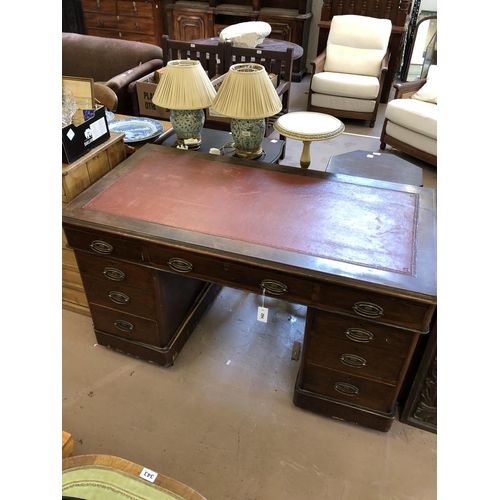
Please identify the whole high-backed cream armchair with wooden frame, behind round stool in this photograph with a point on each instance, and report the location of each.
(347, 78)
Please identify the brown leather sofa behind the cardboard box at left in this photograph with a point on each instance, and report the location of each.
(114, 62)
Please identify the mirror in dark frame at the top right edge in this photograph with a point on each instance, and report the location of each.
(423, 50)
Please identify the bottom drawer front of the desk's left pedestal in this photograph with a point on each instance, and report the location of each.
(125, 325)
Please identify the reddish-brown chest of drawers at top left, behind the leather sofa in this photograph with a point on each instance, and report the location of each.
(140, 20)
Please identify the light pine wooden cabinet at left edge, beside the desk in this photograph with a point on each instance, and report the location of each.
(76, 178)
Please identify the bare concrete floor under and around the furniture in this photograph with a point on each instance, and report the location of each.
(221, 420)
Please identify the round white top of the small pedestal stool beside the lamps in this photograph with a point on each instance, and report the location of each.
(308, 126)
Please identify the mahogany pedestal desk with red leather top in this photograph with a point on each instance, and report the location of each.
(153, 235)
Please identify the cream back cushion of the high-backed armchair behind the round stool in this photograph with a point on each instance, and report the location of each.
(357, 44)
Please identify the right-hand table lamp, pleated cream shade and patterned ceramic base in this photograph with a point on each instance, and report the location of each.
(248, 97)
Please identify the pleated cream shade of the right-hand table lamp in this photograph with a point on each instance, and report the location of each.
(247, 93)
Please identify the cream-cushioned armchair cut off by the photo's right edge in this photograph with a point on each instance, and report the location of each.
(410, 123)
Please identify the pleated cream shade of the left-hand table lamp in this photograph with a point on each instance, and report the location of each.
(184, 85)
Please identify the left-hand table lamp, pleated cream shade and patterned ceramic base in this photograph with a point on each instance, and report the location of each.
(185, 90)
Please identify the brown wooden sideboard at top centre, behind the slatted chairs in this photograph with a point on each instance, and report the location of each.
(289, 20)
